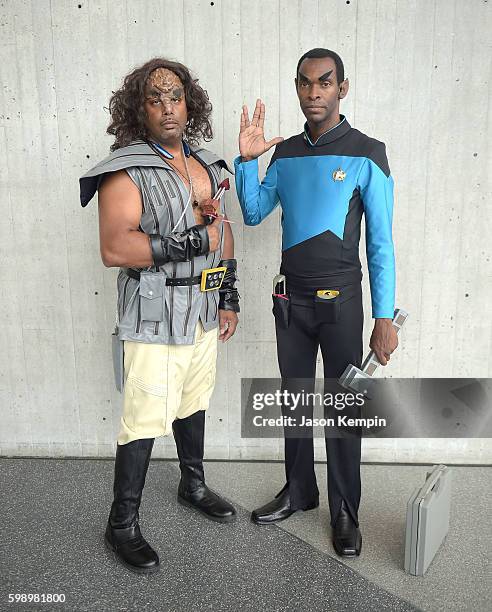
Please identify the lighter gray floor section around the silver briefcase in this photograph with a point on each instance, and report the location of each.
(460, 576)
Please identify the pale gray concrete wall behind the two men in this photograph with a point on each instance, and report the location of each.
(419, 73)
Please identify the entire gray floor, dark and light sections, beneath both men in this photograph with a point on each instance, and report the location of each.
(55, 510)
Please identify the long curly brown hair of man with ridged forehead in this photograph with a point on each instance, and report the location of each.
(126, 106)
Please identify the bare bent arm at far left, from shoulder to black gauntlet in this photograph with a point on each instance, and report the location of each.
(120, 210)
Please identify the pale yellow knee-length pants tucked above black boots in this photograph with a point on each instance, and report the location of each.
(164, 382)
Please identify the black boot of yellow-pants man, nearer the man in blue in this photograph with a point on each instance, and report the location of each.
(192, 490)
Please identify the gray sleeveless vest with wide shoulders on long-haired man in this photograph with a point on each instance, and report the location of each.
(173, 311)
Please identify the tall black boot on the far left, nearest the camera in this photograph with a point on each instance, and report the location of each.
(123, 535)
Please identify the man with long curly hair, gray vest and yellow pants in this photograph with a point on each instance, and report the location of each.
(159, 224)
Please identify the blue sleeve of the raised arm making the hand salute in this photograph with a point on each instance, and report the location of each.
(256, 200)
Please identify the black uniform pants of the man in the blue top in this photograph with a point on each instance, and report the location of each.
(297, 348)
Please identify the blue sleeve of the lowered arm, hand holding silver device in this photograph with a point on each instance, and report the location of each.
(376, 188)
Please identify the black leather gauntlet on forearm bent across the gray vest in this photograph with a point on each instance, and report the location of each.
(179, 246)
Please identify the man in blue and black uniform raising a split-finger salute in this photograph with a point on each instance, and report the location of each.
(324, 179)
